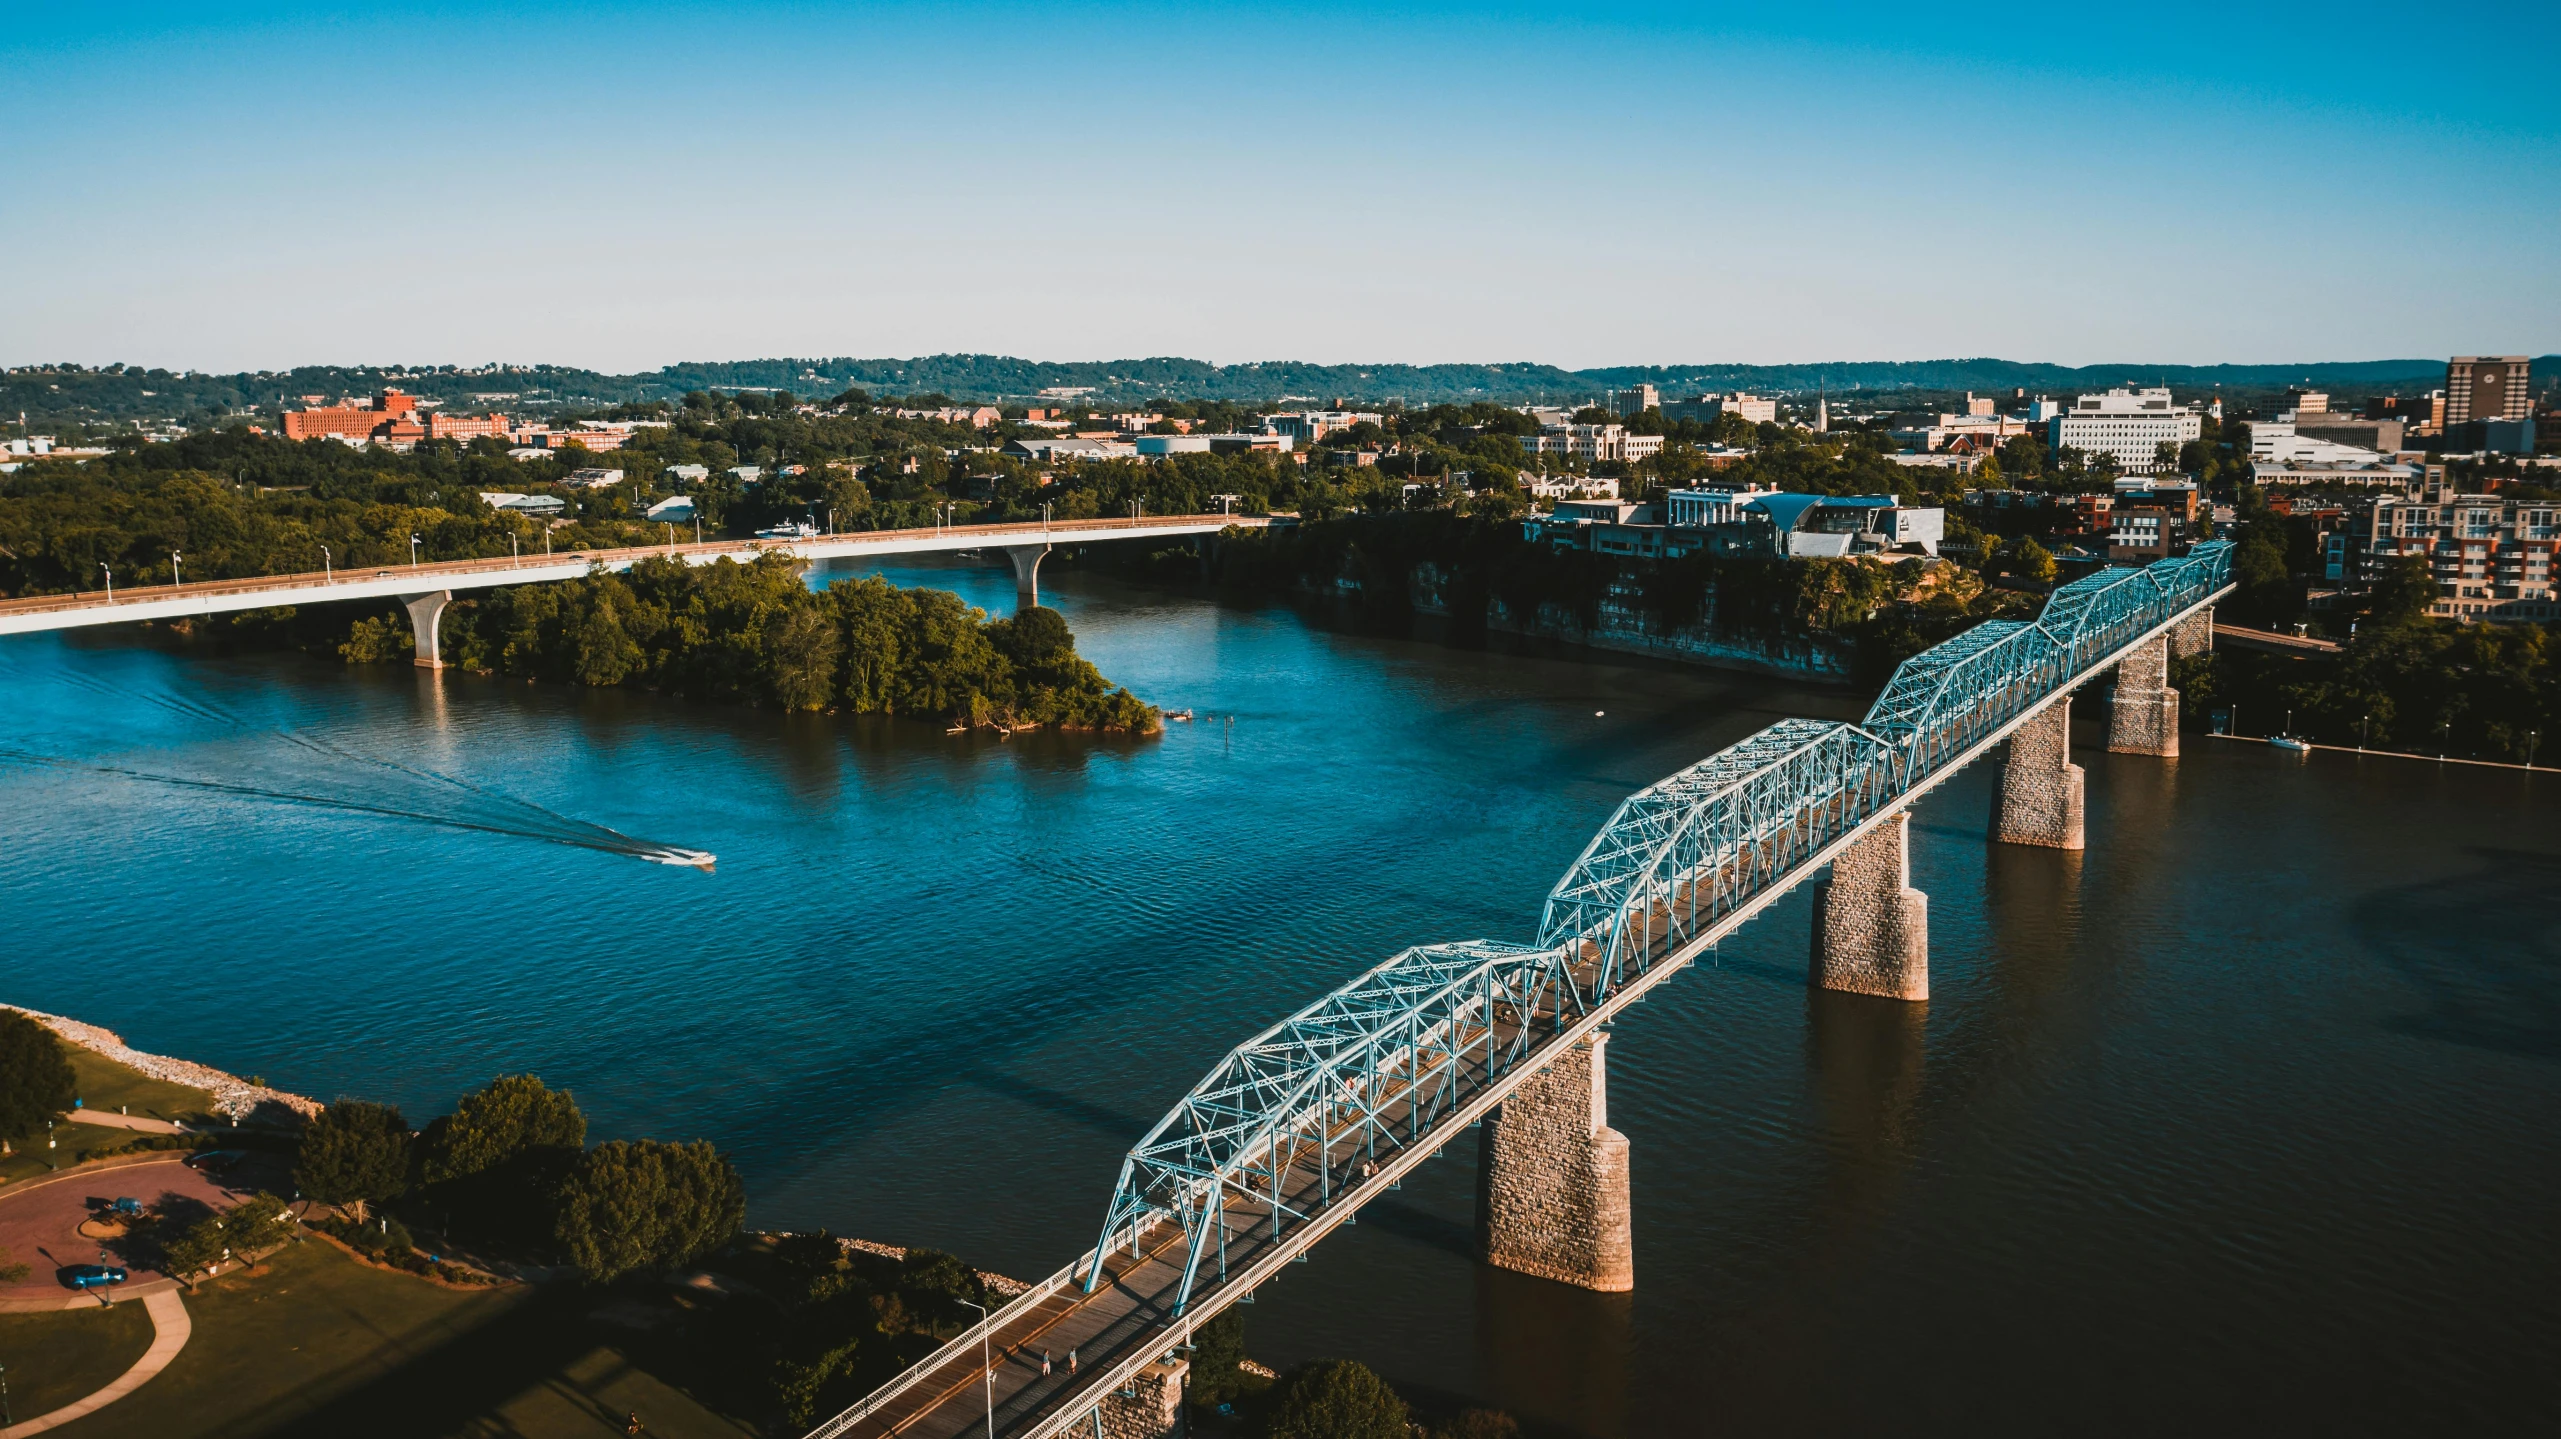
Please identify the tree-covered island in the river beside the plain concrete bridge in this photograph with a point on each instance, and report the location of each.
(754, 634)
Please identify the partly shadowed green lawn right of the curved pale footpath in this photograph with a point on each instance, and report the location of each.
(324, 1346)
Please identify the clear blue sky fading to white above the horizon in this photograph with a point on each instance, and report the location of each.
(626, 186)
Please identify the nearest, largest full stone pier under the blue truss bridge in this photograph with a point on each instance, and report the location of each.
(1553, 1194)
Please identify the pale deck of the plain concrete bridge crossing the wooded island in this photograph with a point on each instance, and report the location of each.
(403, 583)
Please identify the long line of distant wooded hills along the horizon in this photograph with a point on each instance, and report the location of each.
(55, 396)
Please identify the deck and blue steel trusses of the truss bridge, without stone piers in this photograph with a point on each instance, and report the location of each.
(1167, 1264)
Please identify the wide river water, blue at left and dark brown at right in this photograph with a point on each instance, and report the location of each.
(2240, 1120)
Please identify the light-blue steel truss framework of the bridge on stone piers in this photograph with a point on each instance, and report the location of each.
(1412, 1041)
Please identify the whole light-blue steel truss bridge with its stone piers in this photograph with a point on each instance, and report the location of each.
(1305, 1123)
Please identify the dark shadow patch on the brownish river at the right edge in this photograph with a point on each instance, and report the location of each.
(2480, 949)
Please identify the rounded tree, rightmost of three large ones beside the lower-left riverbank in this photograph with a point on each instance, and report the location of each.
(647, 1207)
